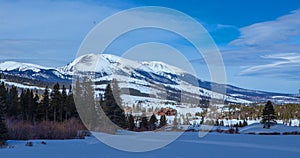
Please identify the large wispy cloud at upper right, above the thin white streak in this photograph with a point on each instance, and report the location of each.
(279, 30)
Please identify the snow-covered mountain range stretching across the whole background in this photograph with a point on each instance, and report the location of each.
(141, 79)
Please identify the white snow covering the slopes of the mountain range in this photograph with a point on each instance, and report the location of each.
(125, 70)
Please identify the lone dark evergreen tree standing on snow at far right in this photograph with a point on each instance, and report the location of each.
(268, 114)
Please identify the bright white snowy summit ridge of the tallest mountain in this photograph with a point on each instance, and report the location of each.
(110, 63)
